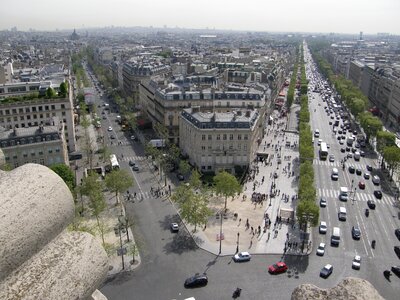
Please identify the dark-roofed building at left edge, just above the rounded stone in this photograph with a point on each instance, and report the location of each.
(43, 145)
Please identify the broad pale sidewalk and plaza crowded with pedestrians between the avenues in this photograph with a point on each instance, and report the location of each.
(271, 228)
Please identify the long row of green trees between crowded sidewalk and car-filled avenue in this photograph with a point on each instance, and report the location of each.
(307, 210)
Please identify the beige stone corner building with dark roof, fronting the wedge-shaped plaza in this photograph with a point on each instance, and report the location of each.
(220, 141)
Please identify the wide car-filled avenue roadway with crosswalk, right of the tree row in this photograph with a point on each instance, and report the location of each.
(380, 224)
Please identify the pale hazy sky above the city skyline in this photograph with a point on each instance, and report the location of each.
(340, 16)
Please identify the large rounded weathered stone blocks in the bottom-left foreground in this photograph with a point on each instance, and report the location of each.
(39, 259)
